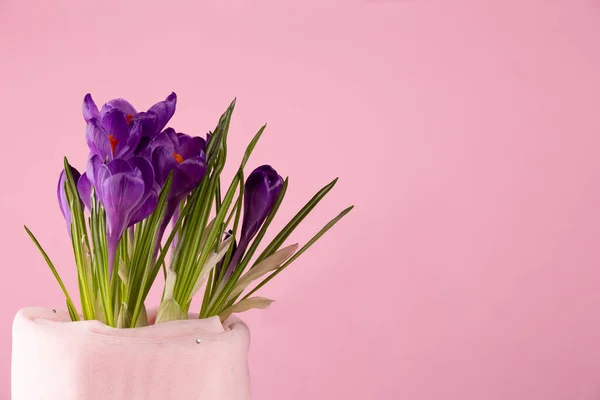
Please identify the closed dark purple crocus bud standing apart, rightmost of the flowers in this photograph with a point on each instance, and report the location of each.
(260, 193)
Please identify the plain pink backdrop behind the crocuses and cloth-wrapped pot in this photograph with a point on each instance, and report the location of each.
(465, 132)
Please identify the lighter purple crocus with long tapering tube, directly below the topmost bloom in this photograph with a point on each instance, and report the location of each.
(126, 190)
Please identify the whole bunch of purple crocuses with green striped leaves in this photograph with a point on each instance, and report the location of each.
(151, 199)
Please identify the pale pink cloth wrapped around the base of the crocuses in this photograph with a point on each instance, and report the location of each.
(59, 360)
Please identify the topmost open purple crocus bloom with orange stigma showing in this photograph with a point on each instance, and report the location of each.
(118, 130)
